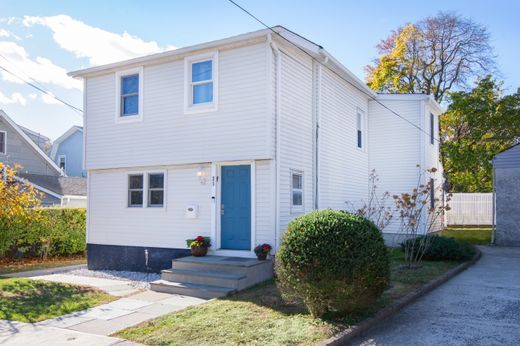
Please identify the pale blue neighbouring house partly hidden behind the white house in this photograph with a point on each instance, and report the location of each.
(67, 152)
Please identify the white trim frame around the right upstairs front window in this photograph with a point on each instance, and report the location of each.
(206, 107)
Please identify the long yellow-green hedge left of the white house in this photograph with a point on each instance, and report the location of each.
(47, 232)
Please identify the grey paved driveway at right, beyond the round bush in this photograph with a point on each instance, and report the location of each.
(480, 306)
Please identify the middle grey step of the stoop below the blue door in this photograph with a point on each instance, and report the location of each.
(221, 279)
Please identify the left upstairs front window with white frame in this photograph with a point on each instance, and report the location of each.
(129, 90)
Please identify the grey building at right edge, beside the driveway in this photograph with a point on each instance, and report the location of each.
(506, 188)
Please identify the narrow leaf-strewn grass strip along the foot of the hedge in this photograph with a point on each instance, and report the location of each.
(13, 266)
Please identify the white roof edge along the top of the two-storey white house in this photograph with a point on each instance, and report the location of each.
(308, 46)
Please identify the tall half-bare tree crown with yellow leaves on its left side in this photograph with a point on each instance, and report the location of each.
(432, 56)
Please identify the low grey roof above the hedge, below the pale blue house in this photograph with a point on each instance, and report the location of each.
(60, 186)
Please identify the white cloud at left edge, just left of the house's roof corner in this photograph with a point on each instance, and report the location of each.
(40, 69)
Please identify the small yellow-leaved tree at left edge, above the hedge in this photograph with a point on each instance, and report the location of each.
(16, 199)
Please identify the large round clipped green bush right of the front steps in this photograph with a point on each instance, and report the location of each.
(335, 262)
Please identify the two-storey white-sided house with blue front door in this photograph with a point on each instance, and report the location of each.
(233, 139)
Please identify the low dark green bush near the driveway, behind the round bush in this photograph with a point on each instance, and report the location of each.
(444, 249)
